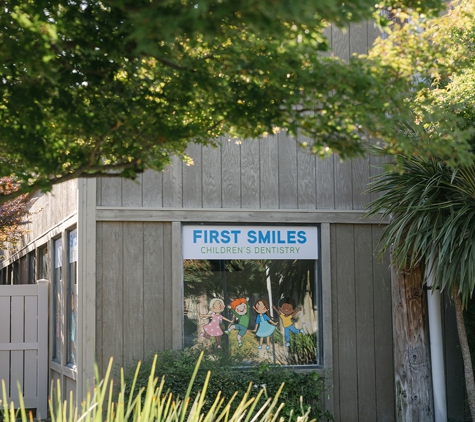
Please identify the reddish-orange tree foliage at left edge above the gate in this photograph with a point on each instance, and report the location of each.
(13, 214)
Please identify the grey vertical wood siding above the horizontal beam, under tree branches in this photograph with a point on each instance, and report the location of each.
(269, 173)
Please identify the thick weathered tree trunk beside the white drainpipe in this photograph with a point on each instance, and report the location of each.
(413, 377)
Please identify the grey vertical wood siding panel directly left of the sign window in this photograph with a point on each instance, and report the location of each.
(136, 292)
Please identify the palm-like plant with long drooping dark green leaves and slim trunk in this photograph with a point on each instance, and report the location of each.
(432, 220)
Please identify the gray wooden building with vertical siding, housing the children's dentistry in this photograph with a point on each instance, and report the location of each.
(113, 252)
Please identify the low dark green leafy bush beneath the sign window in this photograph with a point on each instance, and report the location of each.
(301, 390)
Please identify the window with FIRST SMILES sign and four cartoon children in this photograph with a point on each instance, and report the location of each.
(253, 291)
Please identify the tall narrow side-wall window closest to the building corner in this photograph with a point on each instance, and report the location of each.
(72, 296)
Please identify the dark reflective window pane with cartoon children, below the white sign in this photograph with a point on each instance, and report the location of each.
(264, 310)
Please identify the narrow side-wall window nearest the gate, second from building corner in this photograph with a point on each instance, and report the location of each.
(57, 297)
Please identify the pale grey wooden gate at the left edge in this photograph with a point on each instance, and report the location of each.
(24, 344)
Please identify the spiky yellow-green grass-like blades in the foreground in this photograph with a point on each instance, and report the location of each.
(145, 400)
